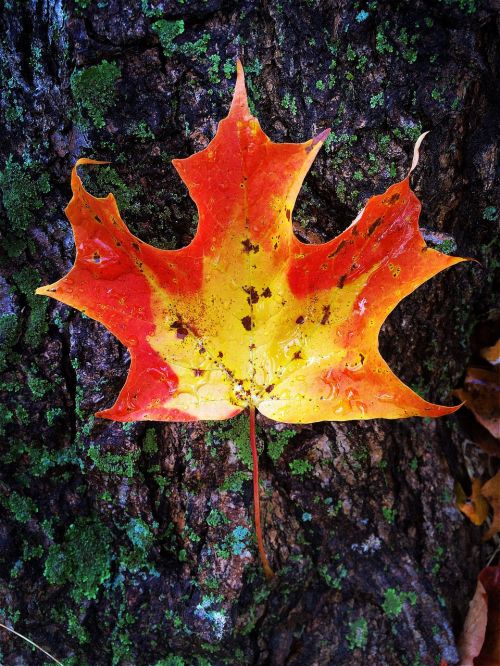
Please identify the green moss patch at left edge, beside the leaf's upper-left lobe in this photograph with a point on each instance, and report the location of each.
(22, 195)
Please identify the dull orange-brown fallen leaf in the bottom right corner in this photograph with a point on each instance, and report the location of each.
(479, 644)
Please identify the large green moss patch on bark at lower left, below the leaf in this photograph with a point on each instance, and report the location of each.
(82, 560)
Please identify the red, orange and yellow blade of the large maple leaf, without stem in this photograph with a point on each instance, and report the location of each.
(246, 314)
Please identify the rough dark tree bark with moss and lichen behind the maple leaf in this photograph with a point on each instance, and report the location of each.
(133, 545)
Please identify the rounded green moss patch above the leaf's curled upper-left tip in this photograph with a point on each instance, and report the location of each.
(94, 89)
